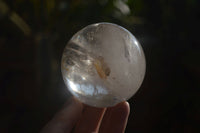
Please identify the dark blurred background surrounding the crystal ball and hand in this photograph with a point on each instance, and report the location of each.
(33, 34)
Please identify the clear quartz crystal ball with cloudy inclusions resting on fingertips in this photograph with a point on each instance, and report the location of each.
(103, 64)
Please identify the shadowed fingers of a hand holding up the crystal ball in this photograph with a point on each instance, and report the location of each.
(76, 117)
